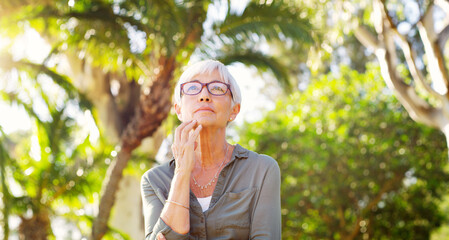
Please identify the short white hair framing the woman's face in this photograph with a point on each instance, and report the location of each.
(208, 66)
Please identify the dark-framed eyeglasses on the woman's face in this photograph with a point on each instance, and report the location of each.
(215, 88)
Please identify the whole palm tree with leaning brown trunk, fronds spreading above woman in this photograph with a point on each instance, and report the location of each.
(101, 41)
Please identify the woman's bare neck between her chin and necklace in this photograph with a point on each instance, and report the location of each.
(211, 148)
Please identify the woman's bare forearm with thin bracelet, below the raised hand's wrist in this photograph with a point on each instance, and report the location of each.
(175, 214)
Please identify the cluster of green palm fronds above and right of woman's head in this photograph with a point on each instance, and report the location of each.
(241, 36)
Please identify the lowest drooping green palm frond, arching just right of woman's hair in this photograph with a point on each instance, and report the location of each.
(263, 63)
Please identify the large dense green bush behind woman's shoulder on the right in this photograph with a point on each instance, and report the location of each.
(353, 164)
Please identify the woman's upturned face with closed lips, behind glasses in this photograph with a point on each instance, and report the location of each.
(209, 110)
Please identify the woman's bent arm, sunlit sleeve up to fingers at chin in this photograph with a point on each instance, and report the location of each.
(174, 214)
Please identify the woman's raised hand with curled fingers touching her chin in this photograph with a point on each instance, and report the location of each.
(184, 145)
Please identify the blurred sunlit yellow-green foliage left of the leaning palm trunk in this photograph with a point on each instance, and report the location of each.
(54, 167)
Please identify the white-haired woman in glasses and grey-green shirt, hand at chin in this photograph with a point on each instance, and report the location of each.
(211, 189)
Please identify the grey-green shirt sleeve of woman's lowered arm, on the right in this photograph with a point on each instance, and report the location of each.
(266, 219)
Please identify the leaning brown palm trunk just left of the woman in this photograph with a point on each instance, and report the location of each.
(154, 107)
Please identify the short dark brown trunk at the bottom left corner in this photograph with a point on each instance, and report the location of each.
(35, 228)
